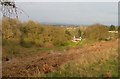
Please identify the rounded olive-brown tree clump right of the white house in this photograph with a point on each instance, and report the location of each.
(96, 32)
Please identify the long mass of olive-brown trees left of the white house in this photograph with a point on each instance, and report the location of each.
(32, 33)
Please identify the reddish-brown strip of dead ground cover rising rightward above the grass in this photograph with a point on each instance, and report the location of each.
(47, 62)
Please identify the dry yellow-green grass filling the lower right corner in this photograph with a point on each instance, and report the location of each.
(90, 65)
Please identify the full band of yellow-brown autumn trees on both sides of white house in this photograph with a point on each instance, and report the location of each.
(30, 33)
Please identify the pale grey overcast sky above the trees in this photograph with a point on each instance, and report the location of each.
(78, 13)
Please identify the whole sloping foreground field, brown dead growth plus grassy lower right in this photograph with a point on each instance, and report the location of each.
(99, 59)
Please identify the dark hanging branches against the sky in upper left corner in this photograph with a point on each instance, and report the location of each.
(9, 9)
